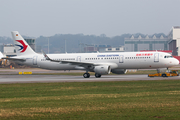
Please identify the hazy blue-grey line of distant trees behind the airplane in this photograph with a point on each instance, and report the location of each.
(75, 42)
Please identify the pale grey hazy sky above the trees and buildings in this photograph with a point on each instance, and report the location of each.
(111, 17)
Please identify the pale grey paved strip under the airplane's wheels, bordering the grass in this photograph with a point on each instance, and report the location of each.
(7, 79)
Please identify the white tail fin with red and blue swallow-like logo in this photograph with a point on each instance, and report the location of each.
(21, 46)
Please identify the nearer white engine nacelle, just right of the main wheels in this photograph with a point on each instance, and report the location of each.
(102, 70)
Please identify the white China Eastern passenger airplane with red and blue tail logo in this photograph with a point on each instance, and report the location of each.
(100, 63)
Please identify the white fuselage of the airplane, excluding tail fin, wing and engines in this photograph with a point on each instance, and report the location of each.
(119, 60)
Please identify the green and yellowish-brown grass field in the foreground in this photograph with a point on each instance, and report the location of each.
(94, 100)
